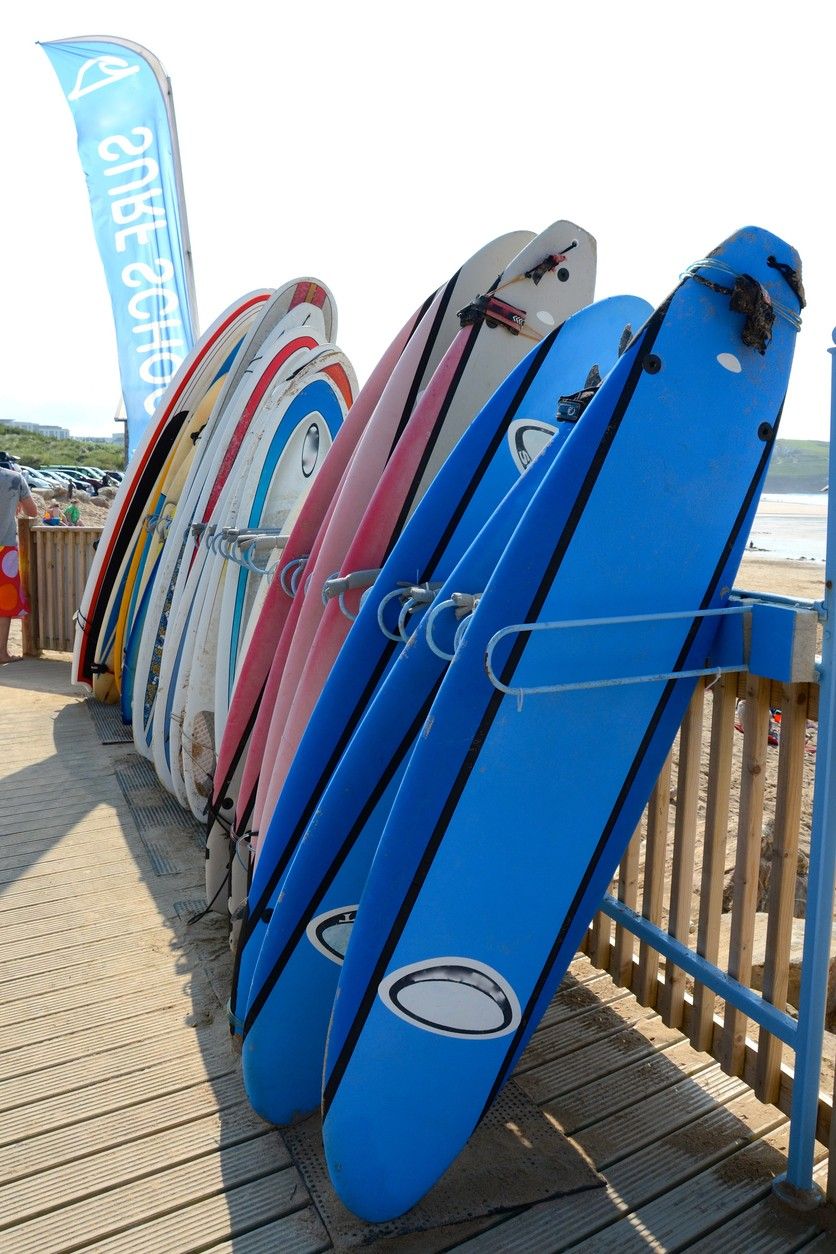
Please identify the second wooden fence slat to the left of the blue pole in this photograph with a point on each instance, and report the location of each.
(748, 863)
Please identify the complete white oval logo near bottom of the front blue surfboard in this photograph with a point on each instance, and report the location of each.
(458, 998)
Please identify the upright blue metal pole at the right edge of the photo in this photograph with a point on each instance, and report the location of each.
(798, 1187)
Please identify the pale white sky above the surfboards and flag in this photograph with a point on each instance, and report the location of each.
(377, 147)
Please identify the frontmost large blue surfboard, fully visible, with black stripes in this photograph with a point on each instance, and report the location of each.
(536, 759)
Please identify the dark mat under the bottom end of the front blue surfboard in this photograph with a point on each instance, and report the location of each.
(516, 1158)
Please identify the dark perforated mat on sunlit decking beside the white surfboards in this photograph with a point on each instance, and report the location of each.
(161, 821)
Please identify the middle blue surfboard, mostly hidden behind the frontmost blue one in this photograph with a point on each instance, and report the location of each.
(296, 975)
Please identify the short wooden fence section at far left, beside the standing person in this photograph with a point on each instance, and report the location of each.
(55, 564)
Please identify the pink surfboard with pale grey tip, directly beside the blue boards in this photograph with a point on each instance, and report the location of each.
(476, 364)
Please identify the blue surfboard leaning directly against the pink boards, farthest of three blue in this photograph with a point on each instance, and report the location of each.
(484, 466)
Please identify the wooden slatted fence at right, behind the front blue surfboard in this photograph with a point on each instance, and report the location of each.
(719, 863)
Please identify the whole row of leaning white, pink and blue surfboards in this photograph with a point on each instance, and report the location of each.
(418, 651)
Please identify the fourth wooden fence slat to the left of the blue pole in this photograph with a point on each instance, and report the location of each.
(685, 838)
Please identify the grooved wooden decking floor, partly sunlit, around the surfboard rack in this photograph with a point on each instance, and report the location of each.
(125, 1125)
